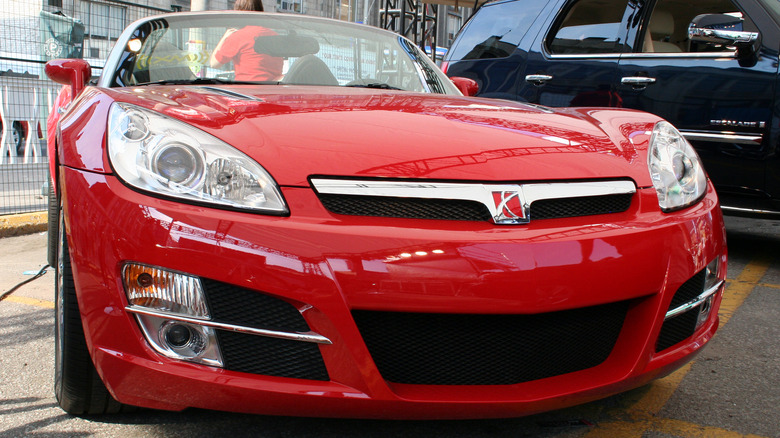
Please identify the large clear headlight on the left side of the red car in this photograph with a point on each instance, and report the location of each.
(159, 154)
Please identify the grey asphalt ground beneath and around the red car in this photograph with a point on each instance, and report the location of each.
(732, 389)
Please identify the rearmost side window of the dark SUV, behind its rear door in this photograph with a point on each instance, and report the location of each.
(497, 31)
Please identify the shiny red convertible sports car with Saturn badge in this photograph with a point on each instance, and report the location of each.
(350, 236)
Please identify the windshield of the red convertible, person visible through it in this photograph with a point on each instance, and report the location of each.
(236, 47)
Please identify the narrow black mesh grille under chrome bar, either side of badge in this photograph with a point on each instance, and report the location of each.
(446, 209)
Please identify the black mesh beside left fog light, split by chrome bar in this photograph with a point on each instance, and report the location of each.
(256, 354)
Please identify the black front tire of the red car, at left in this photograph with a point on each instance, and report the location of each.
(77, 386)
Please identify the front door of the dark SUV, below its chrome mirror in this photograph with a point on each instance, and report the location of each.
(720, 98)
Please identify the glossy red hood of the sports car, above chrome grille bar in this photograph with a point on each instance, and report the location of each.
(296, 132)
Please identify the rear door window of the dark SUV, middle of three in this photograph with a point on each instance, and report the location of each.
(589, 26)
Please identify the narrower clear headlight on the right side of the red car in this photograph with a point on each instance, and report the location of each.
(675, 168)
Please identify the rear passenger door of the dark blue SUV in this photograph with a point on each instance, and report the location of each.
(575, 62)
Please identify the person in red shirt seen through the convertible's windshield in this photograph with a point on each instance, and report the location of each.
(237, 45)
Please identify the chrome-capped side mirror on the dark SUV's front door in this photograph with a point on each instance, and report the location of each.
(726, 30)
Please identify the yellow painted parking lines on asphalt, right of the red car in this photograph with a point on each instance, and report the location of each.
(644, 410)
